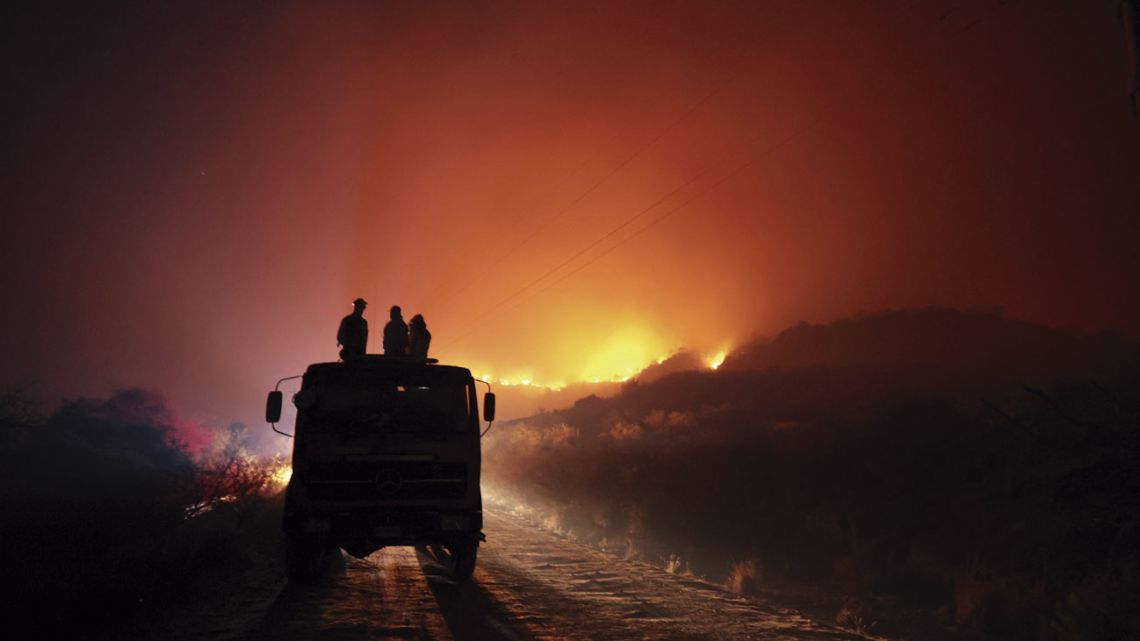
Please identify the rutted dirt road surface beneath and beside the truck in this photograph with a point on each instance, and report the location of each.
(530, 586)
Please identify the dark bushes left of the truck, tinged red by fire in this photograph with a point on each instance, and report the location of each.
(109, 521)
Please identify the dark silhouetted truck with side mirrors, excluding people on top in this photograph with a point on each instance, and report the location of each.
(386, 452)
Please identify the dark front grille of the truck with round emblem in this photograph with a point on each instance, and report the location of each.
(387, 482)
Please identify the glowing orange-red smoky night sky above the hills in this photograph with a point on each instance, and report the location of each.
(196, 193)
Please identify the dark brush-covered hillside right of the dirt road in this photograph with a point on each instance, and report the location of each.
(908, 498)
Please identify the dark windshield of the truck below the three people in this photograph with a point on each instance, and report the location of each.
(386, 404)
